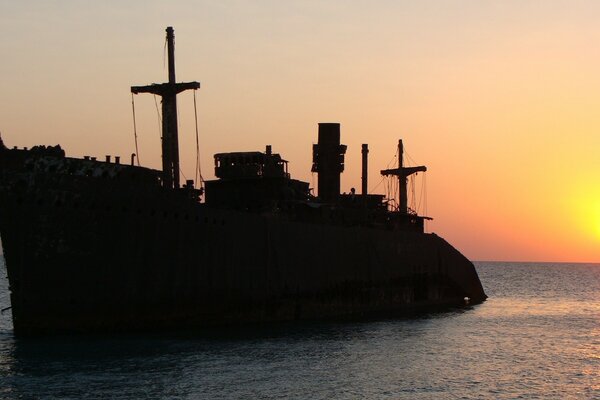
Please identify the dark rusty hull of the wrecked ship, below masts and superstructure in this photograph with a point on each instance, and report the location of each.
(98, 253)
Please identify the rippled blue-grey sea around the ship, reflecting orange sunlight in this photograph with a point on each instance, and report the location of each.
(536, 337)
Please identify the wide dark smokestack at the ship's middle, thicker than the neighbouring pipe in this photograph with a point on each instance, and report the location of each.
(328, 161)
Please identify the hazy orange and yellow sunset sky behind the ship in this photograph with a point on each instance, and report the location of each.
(499, 99)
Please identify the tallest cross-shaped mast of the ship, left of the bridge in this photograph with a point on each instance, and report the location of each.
(168, 92)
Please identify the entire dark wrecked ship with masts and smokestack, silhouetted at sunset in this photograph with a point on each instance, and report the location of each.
(102, 246)
